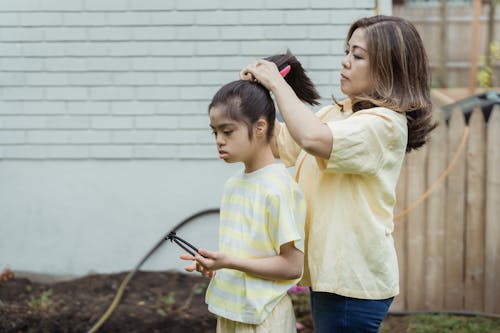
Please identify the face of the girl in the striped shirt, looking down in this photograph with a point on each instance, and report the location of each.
(231, 137)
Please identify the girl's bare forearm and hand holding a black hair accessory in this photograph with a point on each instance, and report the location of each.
(285, 266)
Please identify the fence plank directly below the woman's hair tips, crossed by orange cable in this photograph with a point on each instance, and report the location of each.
(416, 230)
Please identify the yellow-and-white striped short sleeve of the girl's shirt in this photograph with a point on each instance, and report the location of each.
(286, 221)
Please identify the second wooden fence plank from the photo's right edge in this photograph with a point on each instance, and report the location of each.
(474, 234)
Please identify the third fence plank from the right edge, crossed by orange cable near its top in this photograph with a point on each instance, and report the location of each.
(455, 218)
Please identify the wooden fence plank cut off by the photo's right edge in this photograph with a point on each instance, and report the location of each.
(492, 248)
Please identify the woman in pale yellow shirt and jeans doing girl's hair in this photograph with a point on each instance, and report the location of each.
(348, 158)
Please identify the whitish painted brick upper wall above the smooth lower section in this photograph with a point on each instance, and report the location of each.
(131, 79)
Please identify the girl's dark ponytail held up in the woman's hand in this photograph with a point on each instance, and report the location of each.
(297, 77)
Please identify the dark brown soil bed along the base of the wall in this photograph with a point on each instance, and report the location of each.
(152, 302)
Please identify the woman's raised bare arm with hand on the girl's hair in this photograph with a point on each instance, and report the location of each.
(306, 129)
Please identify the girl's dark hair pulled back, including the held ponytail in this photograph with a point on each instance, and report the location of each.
(249, 101)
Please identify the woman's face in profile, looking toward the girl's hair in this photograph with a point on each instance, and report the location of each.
(355, 77)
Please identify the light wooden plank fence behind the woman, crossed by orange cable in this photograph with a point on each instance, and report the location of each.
(449, 246)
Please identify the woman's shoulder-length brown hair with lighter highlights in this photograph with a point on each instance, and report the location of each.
(399, 72)
